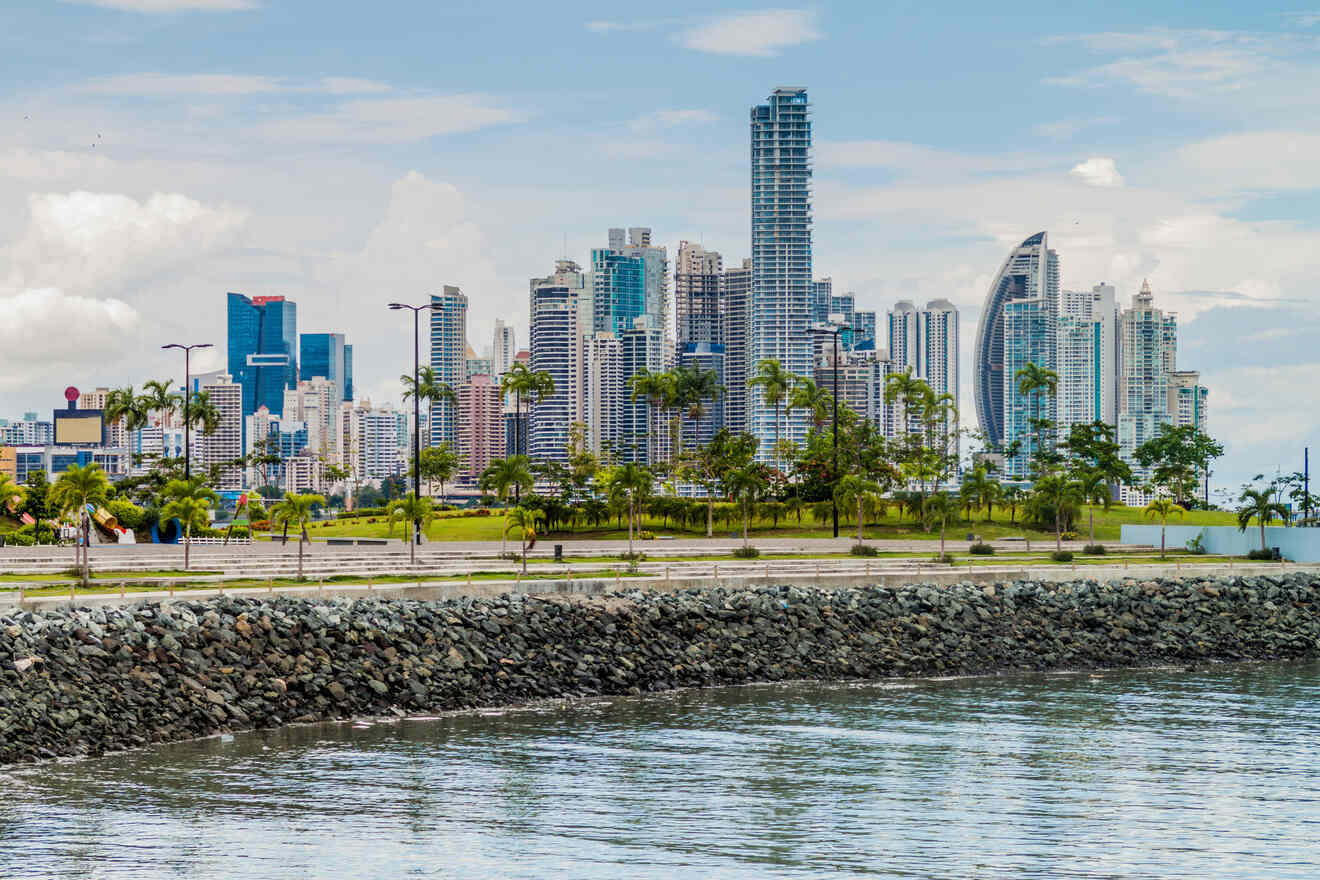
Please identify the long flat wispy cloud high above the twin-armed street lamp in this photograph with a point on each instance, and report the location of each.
(393, 121)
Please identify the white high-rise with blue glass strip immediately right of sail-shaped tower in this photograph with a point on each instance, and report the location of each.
(1087, 358)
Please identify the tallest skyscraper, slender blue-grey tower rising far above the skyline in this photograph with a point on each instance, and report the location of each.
(782, 254)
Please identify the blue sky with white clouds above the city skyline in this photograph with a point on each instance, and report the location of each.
(159, 154)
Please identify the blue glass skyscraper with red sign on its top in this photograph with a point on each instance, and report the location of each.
(263, 357)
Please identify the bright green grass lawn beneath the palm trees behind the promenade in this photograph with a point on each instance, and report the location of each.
(489, 528)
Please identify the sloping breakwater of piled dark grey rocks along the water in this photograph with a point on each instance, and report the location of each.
(86, 681)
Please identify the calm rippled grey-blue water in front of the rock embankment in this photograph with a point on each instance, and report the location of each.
(1141, 774)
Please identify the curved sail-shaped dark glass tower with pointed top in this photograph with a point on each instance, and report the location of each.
(1030, 272)
